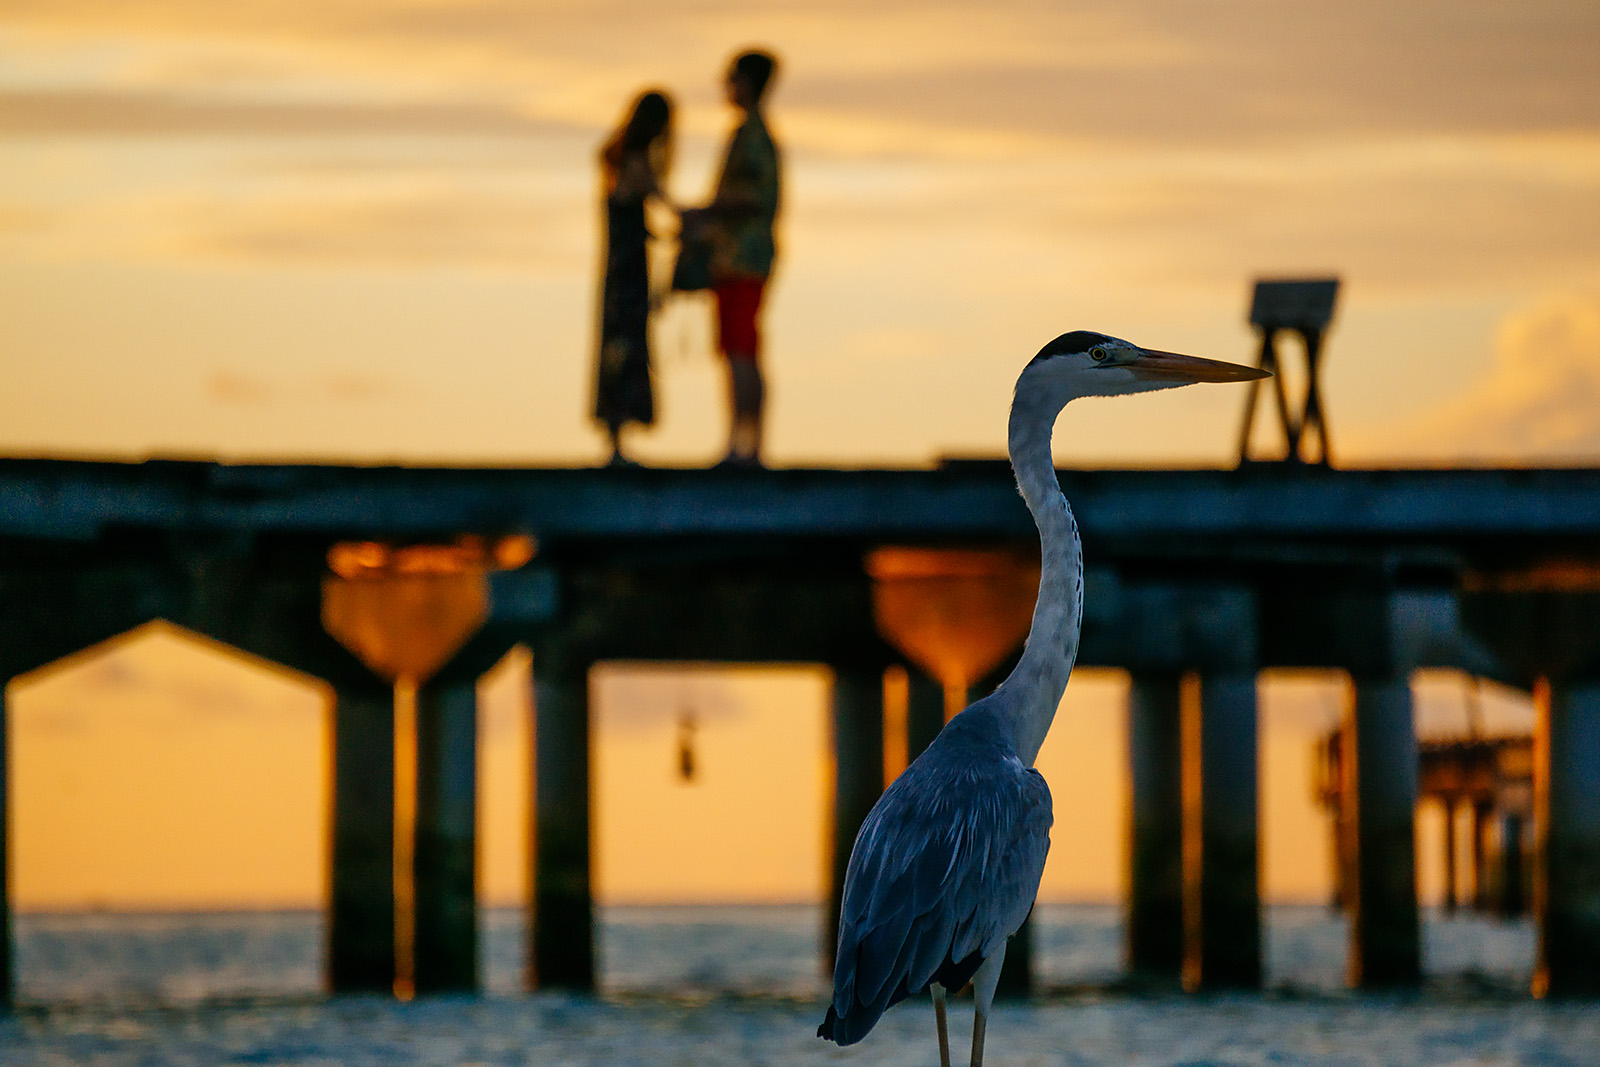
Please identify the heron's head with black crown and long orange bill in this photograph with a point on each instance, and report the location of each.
(1086, 364)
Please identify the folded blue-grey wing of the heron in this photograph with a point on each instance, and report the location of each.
(945, 869)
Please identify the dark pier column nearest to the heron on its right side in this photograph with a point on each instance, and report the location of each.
(1154, 949)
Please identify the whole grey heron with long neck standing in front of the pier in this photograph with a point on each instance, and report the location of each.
(948, 863)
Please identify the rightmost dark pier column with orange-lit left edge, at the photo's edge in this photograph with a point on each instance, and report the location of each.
(1567, 815)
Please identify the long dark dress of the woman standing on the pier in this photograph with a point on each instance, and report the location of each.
(623, 391)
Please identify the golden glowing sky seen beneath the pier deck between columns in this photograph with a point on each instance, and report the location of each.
(750, 829)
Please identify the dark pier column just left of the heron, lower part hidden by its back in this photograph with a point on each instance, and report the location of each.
(858, 777)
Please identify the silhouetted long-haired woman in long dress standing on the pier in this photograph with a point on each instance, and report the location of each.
(633, 166)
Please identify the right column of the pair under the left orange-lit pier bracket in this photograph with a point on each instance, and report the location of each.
(446, 860)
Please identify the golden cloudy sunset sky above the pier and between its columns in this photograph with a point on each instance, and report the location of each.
(367, 231)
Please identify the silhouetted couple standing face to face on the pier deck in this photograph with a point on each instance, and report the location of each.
(729, 244)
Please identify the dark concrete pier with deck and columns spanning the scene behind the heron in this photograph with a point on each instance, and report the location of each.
(1198, 581)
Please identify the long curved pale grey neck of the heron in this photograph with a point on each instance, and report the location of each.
(1041, 677)
